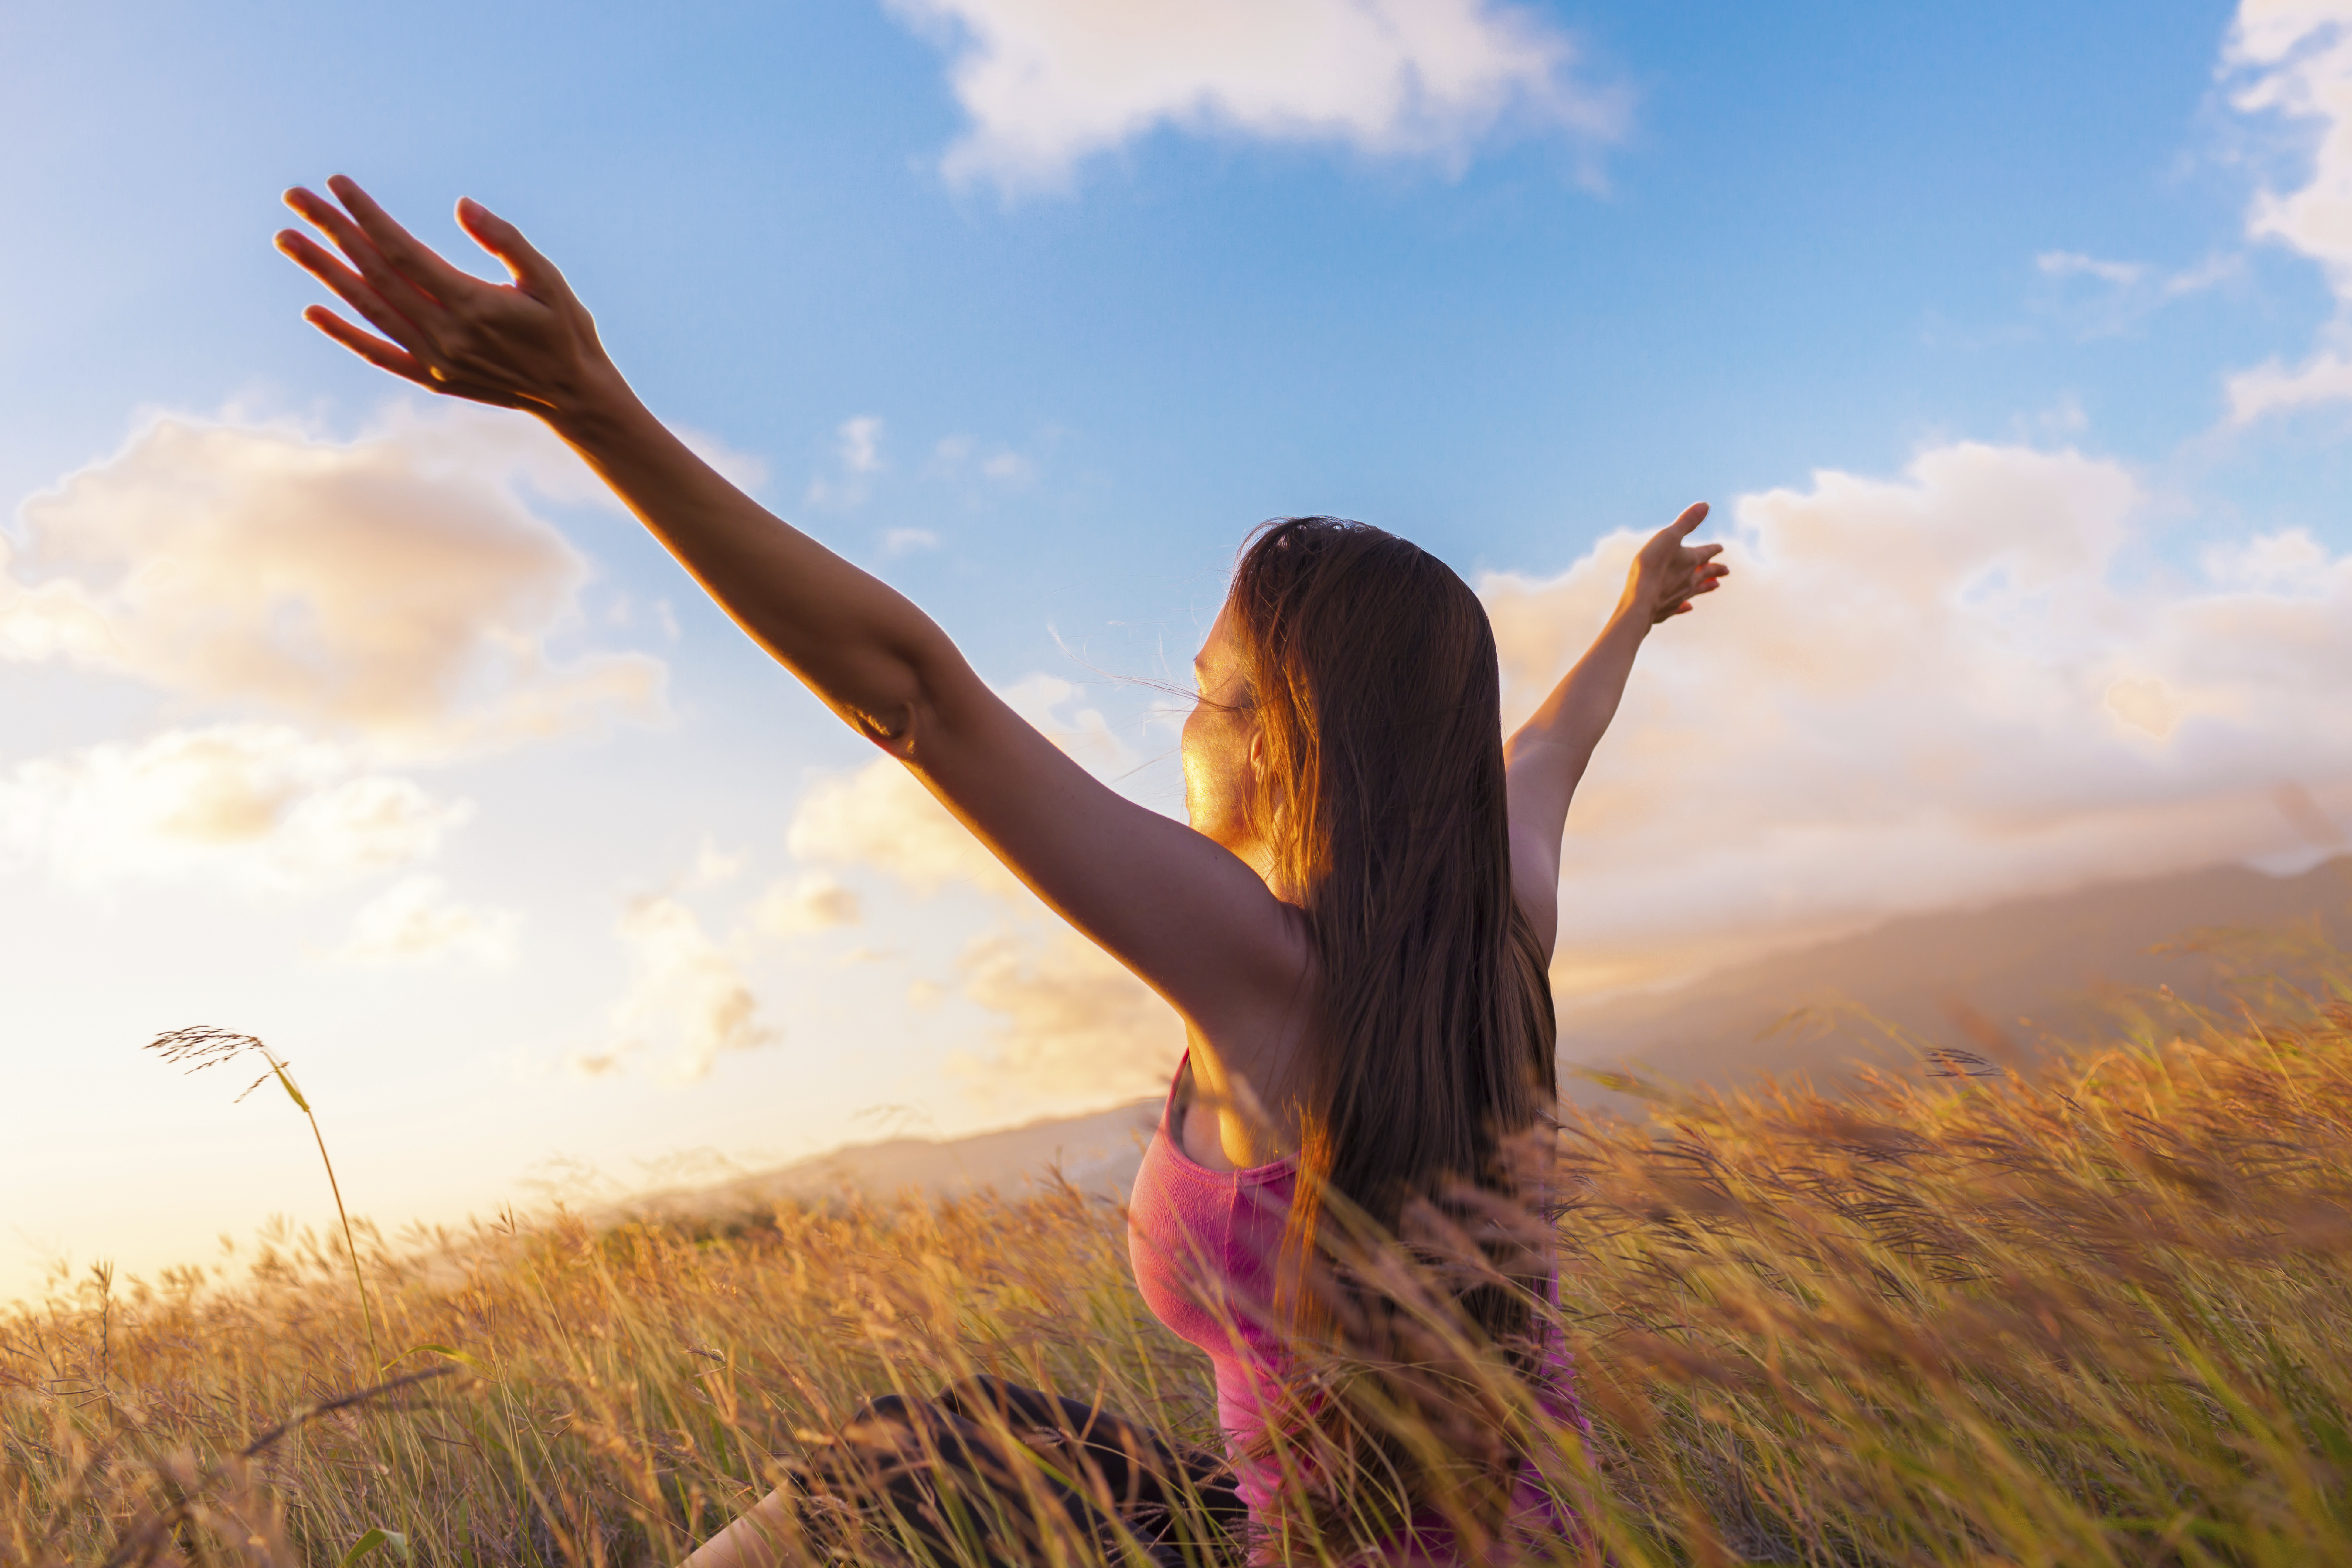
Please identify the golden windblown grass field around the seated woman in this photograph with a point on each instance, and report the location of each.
(2099, 1315)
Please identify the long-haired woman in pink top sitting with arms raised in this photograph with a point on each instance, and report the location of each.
(1354, 930)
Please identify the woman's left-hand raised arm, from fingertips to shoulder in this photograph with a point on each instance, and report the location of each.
(1177, 909)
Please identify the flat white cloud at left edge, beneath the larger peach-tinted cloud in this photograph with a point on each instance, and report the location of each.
(260, 805)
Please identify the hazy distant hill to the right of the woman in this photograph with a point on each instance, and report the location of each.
(2017, 979)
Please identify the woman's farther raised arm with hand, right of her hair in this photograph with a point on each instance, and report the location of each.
(1549, 756)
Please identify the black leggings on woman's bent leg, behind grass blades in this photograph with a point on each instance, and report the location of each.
(989, 1473)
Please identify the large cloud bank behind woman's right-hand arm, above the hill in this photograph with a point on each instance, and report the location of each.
(1932, 690)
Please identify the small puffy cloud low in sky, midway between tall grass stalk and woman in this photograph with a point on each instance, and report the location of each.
(688, 996)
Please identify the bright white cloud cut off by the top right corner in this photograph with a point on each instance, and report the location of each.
(2294, 60)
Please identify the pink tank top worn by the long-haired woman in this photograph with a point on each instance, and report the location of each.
(1205, 1245)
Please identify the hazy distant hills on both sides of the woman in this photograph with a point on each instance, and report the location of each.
(2010, 979)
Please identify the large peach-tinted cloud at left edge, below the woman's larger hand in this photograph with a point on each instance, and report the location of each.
(392, 587)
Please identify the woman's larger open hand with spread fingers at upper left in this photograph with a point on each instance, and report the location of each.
(523, 344)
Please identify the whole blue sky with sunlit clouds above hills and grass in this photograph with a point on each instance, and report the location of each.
(1951, 311)
